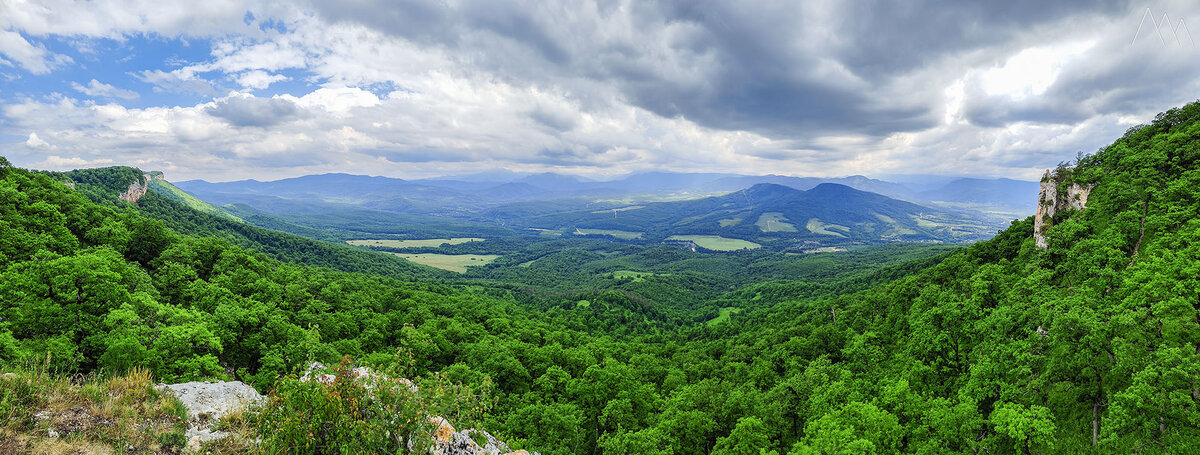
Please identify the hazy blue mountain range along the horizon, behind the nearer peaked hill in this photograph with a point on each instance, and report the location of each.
(472, 195)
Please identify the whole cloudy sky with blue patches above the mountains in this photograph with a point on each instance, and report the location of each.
(227, 91)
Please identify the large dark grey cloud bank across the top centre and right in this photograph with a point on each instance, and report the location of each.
(783, 69)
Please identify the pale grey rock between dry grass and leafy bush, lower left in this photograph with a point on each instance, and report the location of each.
(208, 403)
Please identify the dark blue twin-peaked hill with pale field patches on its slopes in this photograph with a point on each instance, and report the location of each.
(825, 214)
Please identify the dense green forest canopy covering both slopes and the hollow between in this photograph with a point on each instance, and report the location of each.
(1089, 346)
